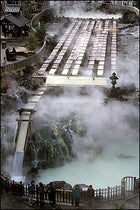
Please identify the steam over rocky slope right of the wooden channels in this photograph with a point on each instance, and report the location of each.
(128, 57)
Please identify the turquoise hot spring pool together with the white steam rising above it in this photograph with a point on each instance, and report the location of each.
(112, 127)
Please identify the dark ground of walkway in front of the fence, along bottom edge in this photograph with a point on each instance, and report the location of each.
(8, 201)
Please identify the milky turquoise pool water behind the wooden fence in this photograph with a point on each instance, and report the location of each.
(106, 170)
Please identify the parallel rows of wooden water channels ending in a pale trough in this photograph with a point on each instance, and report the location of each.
(81, 54)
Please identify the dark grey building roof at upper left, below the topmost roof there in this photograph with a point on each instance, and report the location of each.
(18, 21)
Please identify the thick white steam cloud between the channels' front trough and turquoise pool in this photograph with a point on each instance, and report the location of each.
(98, 118)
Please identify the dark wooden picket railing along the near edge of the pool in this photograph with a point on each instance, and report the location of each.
(65, 196)
